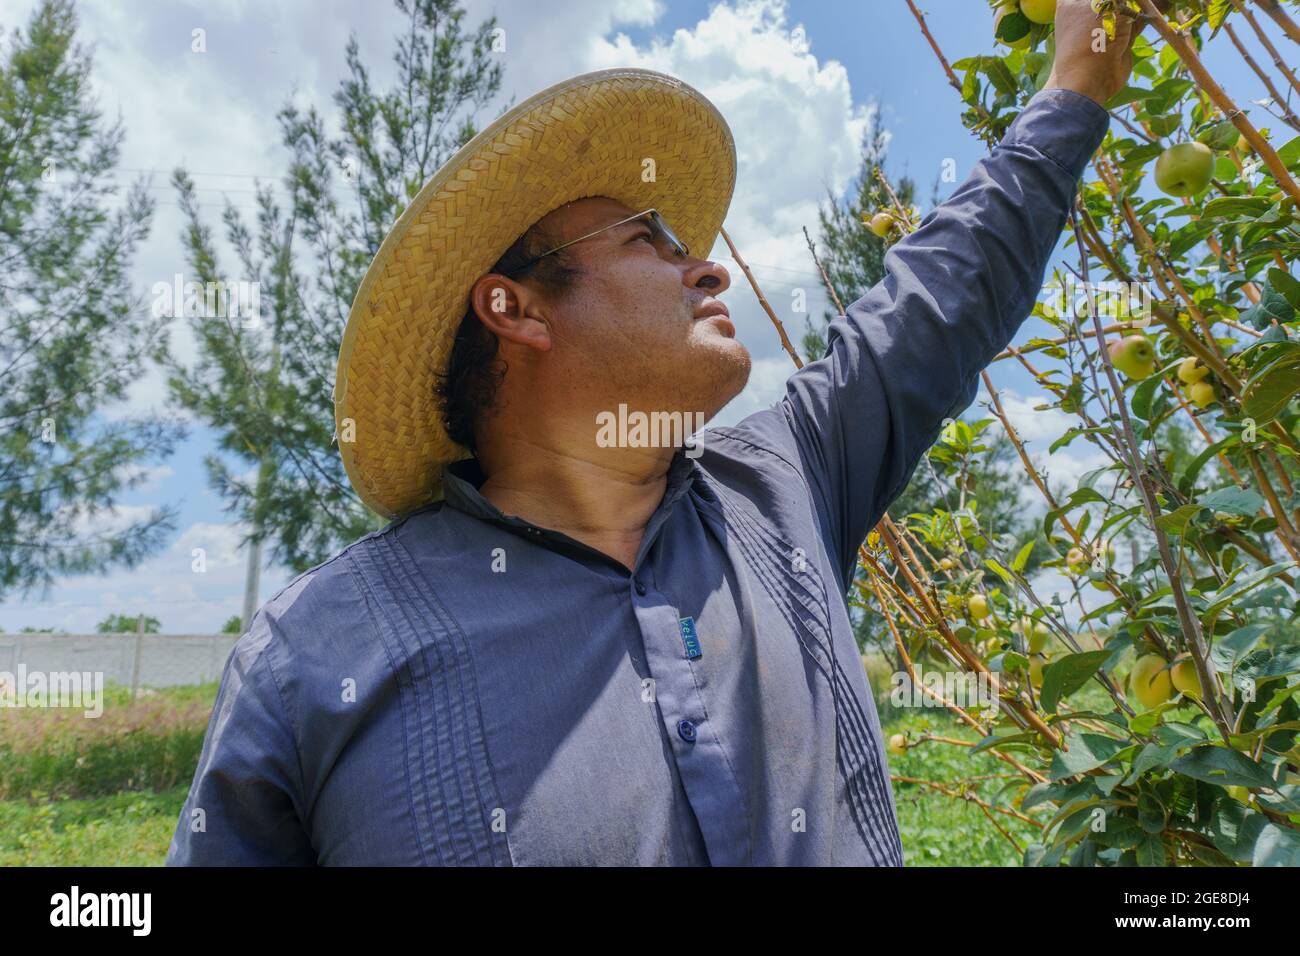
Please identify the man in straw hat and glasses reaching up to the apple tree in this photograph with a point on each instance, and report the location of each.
(574, 644)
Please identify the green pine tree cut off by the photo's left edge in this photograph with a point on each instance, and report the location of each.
(73, 335)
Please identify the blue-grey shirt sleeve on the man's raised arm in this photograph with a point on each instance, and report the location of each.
(908, 354)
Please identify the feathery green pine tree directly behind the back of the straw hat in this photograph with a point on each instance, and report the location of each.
(266, 384)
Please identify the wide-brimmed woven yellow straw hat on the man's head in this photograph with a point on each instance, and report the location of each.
(634, 136)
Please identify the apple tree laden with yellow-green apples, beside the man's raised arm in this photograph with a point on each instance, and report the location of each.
(1143, 680)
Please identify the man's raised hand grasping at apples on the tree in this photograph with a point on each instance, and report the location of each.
(1089, 62)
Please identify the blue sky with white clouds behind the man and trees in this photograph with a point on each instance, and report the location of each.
(796, 119)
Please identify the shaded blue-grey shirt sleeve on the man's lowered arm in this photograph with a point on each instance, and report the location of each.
(244, 807)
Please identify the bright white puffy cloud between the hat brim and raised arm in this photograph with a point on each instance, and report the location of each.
(798, 133)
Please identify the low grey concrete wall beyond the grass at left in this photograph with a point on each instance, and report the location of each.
(164, 660)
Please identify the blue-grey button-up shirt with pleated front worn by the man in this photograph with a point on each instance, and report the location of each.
(463, 687)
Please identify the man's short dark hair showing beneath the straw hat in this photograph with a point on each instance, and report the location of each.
(467, 390)
